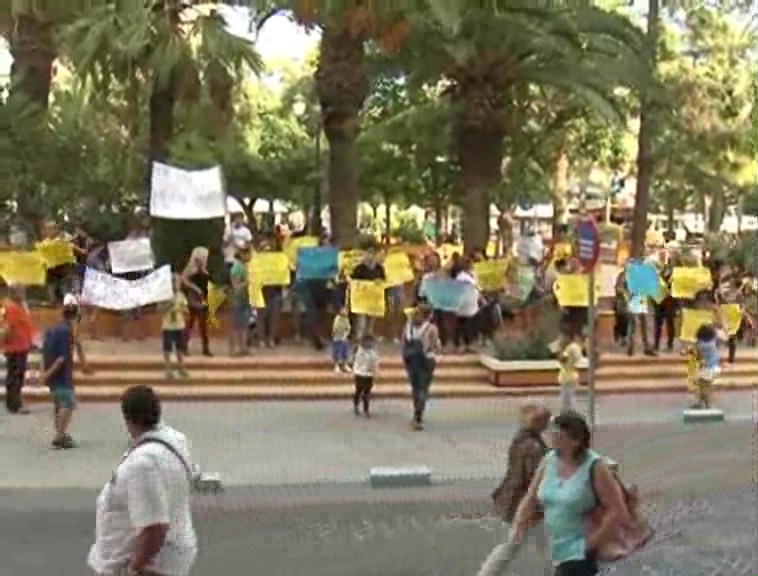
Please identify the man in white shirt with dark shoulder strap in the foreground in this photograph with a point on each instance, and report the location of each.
(144, 522)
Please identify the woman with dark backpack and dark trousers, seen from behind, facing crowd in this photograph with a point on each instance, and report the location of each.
(420, 343)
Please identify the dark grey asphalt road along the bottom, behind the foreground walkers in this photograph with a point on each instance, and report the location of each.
(444, 533)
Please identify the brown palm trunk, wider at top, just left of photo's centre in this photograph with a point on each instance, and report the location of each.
(342, 85)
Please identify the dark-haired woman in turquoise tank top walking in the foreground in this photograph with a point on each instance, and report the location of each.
(564, 489)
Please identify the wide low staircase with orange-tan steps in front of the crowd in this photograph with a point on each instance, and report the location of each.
(306, 376)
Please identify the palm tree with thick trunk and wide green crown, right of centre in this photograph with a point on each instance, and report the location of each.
(488, 57)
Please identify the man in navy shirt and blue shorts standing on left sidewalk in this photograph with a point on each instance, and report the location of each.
(58, 367)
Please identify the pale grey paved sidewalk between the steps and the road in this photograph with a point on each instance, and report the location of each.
(302, 443)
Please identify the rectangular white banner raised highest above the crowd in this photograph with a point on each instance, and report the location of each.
(178, 194)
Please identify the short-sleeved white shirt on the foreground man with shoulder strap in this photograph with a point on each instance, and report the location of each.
(149, 487)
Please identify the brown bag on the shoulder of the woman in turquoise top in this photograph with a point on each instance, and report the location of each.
(630, 535)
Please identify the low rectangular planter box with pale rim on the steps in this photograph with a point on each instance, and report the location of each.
(526, 373)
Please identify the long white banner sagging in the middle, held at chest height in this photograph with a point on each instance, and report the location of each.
(111, 293)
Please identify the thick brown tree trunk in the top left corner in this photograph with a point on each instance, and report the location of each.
(32, 46)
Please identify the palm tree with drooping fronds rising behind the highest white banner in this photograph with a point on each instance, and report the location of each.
(172, 48)
